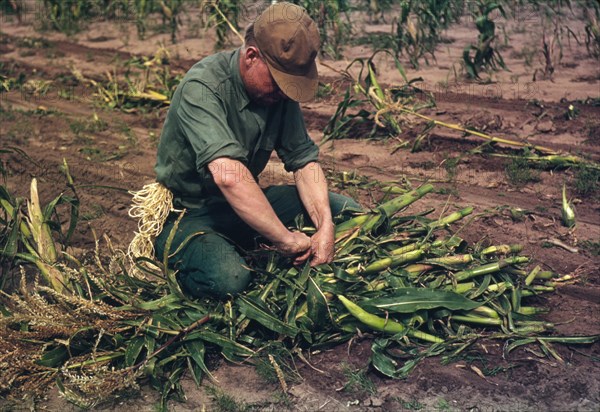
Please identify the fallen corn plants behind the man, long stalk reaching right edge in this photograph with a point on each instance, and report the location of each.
(383, 112)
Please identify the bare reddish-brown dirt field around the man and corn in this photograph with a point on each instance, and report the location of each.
(108, 161)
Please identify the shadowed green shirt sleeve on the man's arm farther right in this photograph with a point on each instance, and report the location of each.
(295, 148)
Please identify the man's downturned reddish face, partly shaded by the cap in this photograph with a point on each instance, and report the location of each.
(259, 83)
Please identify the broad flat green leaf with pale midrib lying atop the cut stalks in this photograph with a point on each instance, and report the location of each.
(410, 300)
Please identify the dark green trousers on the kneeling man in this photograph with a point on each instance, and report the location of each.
(210, 263)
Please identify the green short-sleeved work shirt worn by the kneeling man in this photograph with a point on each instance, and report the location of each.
(211, 116)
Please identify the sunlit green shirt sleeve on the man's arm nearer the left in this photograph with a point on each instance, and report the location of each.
(203, 119)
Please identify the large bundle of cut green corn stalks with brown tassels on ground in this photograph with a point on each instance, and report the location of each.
(404, 277)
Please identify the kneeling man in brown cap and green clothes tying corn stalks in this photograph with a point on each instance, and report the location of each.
(228, 114)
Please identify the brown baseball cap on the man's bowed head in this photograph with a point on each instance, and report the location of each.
(289, 41)
